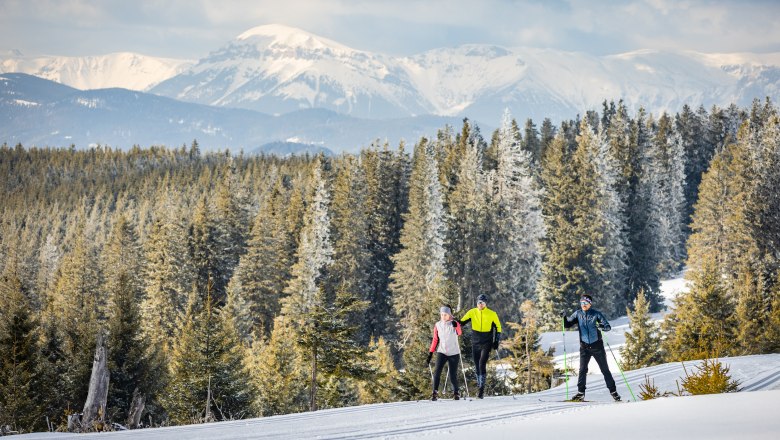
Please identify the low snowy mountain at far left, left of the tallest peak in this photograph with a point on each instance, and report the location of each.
(126, 70)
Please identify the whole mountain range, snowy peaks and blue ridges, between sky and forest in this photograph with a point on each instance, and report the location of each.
(340, 98)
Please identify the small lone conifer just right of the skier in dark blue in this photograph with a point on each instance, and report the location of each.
(643, 343)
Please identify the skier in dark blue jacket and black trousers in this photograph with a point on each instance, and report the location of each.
(589, 321)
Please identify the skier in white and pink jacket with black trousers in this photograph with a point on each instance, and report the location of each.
(447, 348)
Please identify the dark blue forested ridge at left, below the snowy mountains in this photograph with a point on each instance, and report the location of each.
(38, 112)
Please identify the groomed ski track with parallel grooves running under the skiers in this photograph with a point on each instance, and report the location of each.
(425, 418)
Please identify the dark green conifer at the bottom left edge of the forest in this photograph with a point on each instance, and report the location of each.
(20, 376)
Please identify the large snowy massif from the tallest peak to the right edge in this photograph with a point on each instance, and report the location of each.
(277, 69)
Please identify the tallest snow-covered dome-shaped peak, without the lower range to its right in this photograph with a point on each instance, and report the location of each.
(277, 69)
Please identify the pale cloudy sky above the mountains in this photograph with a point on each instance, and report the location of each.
(193, 28)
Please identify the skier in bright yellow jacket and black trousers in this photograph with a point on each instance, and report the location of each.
(485, 334)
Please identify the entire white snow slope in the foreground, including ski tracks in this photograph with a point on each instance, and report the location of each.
(747, 415)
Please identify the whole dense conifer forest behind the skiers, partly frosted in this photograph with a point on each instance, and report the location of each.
(221, 286)
